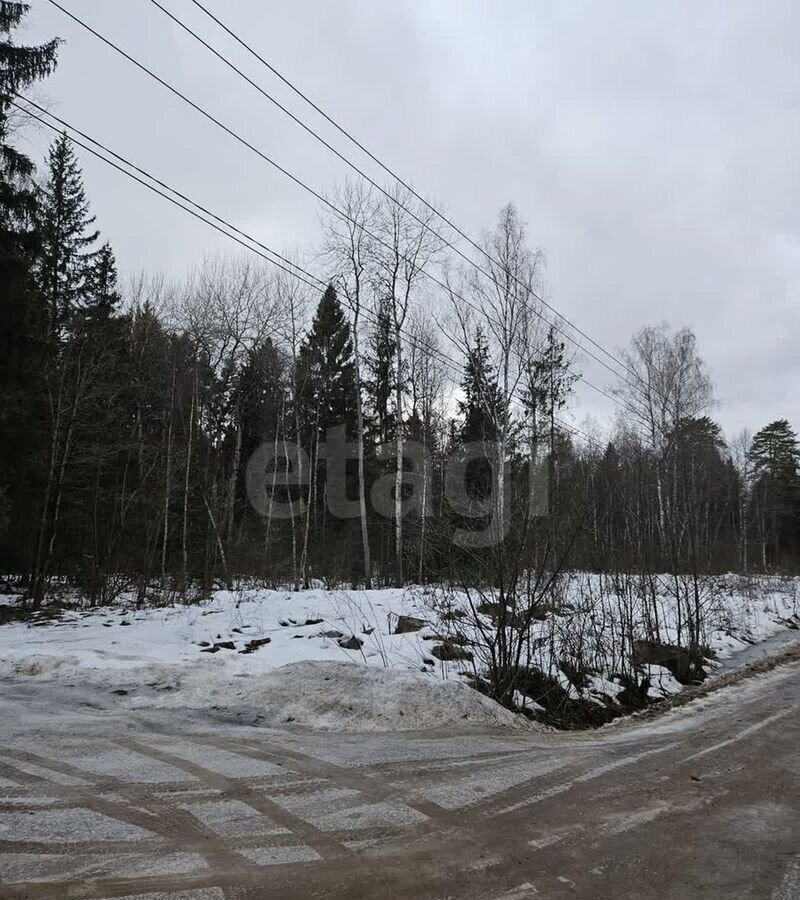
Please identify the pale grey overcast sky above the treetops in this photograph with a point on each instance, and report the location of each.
(653, 149)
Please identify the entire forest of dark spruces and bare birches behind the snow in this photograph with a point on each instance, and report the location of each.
(384, 428)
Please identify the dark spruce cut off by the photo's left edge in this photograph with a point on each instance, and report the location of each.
(22, 336)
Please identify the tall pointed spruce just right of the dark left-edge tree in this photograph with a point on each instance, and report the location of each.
(78, 285)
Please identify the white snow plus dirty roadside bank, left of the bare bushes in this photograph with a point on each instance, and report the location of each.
(301, 676)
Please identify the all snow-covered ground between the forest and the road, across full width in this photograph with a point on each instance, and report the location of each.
(335, 660)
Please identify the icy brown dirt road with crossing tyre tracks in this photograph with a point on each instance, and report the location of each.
(96, 801)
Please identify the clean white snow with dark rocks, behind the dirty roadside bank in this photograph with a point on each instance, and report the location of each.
(172, 635)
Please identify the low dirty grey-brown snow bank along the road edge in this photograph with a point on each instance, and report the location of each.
(326, 696)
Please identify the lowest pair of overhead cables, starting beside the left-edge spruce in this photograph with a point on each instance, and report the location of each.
(219, 224)
